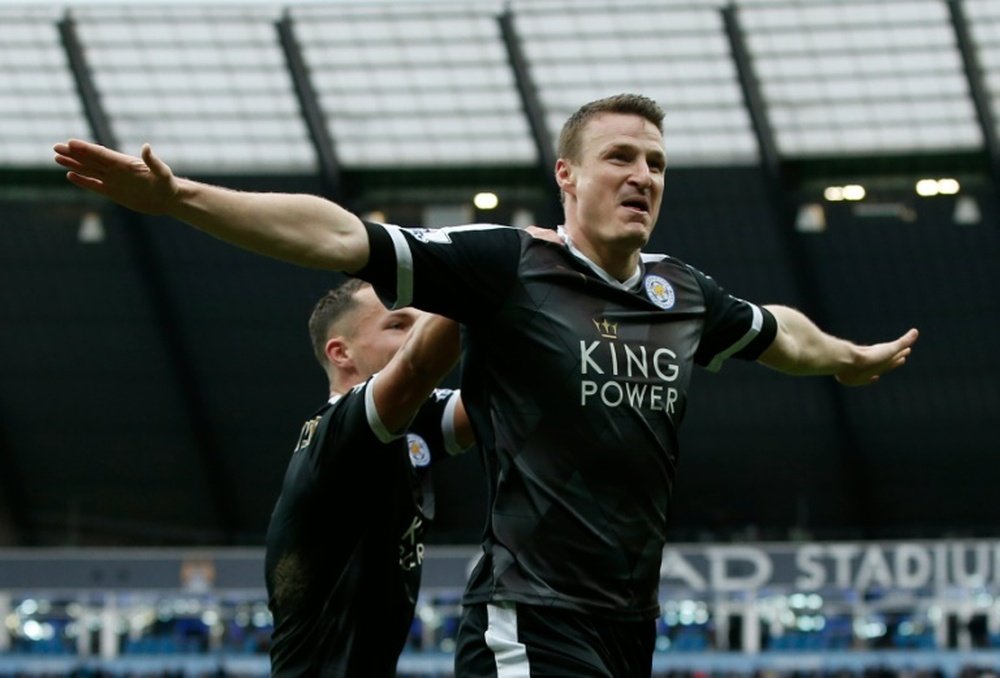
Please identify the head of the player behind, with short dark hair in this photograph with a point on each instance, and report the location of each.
(354, 335)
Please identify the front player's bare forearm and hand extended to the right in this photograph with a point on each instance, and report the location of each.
(801, 348)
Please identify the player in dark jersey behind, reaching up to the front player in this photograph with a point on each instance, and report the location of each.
(345, 542)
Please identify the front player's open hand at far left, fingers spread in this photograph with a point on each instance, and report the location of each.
(143, 184)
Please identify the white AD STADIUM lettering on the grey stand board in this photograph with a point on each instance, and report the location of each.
(814, 566)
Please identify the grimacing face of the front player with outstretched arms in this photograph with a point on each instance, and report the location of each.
(618, 182)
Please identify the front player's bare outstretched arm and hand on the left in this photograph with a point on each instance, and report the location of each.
(303, 229)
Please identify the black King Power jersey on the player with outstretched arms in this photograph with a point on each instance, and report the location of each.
(575, 384)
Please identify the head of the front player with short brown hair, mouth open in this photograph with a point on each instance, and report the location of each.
(610, 173)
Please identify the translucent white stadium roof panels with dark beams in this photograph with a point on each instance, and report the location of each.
(228, 87)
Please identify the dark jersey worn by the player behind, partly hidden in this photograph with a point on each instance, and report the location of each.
(345, 542)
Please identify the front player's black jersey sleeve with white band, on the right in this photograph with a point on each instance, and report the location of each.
(734, 327)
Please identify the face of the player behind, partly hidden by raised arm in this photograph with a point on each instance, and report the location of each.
(378, 332)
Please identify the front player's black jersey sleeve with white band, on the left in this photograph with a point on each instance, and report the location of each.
(461, 272)
